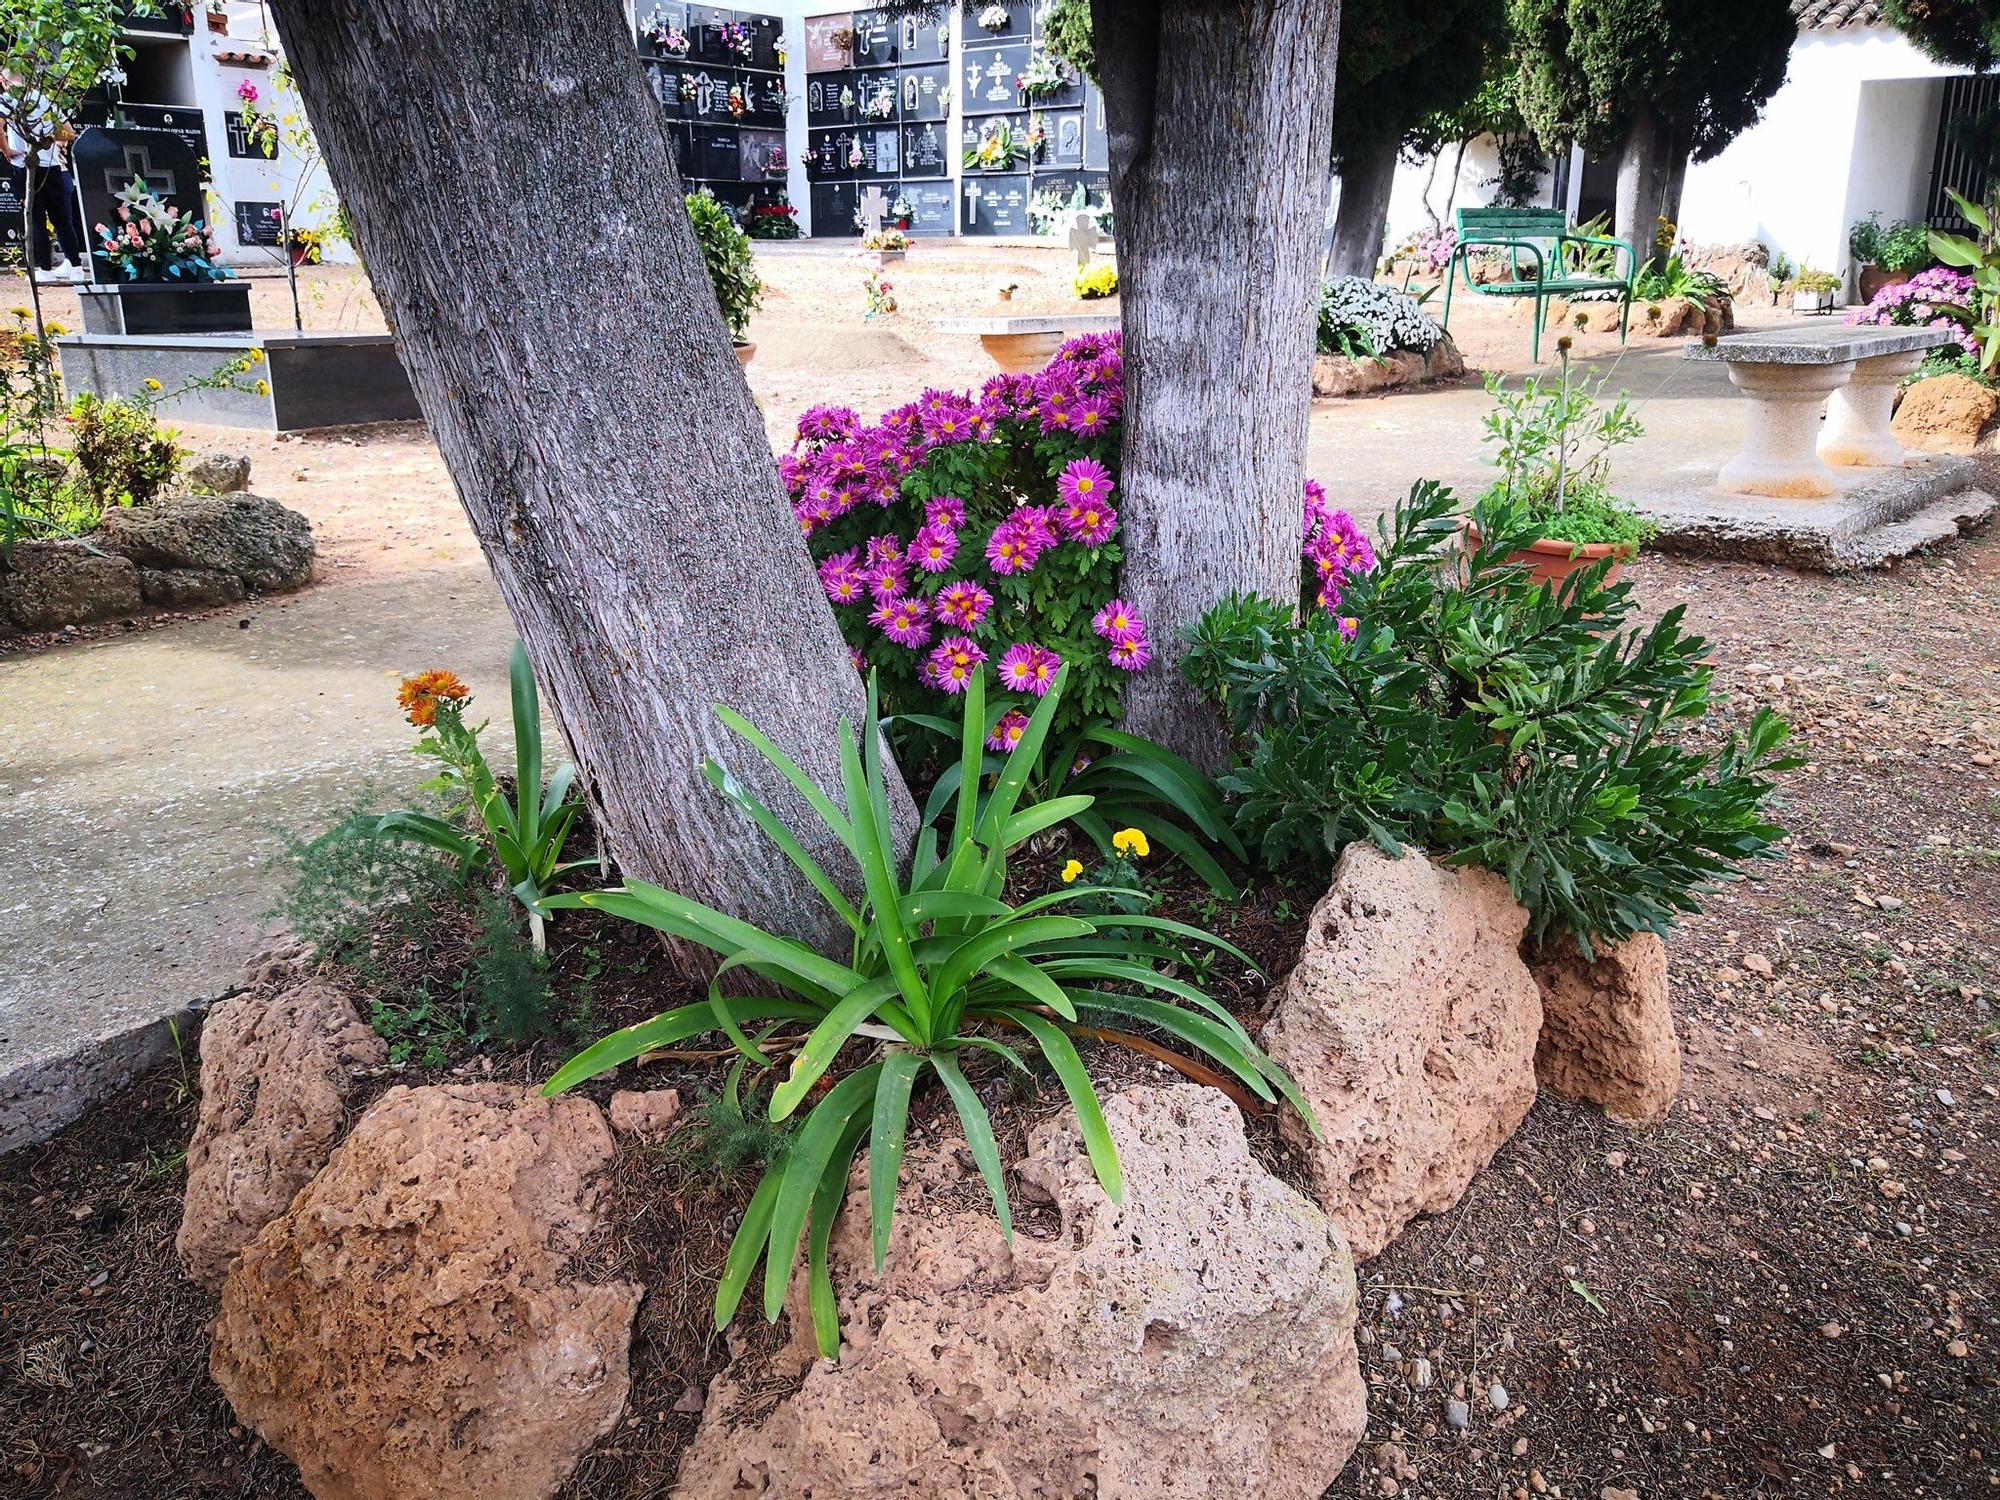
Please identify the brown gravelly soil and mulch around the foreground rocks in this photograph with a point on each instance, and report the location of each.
(1785, 1289)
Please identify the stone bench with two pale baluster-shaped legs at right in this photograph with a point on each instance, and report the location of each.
(1787, 373)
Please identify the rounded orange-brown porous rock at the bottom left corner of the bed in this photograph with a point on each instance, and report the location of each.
(411, 1327)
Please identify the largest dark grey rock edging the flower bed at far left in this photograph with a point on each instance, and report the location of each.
(263, 543)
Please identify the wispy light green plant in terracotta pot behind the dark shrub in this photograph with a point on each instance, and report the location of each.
(1553, 445)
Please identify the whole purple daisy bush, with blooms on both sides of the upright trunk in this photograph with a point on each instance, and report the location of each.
(967, 529)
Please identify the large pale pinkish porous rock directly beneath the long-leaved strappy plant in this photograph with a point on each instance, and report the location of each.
(1197, 1343)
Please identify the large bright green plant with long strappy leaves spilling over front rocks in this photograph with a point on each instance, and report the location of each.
(941, 969)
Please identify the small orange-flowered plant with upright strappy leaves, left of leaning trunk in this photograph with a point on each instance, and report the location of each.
(527, 831)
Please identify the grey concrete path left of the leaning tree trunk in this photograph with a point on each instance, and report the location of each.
(147, 785)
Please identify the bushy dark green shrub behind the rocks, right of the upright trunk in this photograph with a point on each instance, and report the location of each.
(1495, 723)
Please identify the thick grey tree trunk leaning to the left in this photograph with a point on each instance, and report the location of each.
(511, 177)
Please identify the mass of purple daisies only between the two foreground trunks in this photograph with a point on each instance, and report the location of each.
(919, 583)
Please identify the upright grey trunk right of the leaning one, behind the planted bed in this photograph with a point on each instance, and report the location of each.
(1219, 115)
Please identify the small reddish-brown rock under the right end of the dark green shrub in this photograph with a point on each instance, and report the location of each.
(1607, 1029)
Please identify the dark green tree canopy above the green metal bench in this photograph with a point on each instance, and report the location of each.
(1703, 67)
